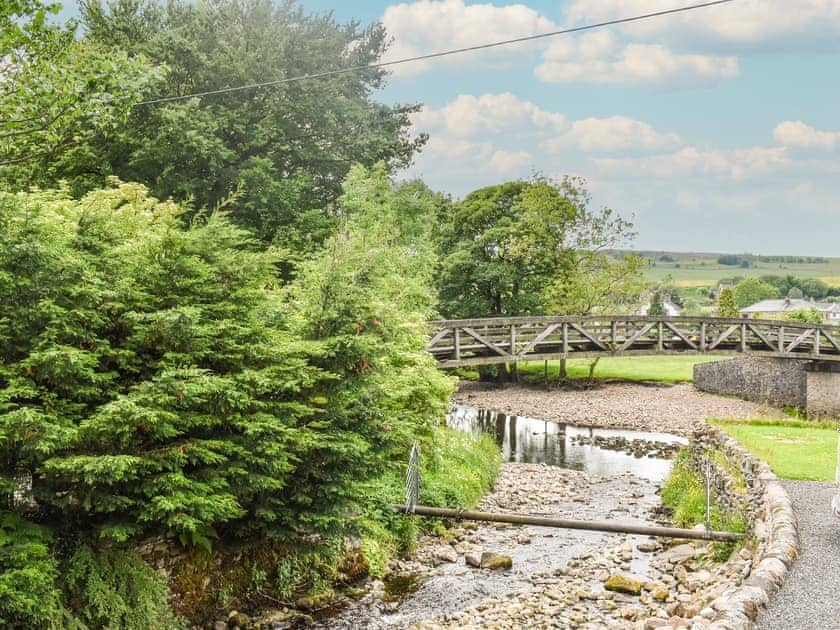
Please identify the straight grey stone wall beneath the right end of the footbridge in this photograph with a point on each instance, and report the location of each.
(779, 382)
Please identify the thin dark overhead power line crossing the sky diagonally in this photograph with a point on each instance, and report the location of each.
(444, 53)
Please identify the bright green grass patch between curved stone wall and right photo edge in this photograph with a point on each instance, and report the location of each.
(794, 449)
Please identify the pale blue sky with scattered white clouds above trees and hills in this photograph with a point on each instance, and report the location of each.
(715, 130)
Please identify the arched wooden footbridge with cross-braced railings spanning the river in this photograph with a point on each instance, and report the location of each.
(456, 343)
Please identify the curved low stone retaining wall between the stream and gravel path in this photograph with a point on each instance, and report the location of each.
(774, 540)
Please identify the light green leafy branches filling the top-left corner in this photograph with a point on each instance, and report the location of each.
(57, 94)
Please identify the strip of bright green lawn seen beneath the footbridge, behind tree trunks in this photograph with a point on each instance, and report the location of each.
(663, 368)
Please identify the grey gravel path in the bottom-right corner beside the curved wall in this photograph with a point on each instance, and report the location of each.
(809, 600)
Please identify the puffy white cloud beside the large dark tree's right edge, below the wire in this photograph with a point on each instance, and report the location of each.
(467, 116)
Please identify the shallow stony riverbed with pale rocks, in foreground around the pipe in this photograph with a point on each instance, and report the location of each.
(559, 578)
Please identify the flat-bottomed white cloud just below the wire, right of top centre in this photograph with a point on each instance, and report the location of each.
(599, 57)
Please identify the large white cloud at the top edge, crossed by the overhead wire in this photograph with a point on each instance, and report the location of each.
(427, 26)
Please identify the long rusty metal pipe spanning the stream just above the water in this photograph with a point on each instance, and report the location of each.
(602, 526)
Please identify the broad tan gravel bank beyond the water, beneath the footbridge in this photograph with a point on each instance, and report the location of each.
(676, 409)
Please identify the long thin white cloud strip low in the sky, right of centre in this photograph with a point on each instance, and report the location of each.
(690, 161)
